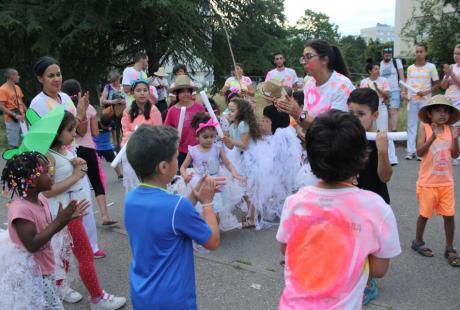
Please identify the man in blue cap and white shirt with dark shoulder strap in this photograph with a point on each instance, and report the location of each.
(392, 69)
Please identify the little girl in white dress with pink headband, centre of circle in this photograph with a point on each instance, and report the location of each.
(206, 157)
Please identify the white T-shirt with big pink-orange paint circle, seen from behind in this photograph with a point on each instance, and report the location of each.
(329, 235)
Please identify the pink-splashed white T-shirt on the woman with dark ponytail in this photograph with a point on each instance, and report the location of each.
(331, 95)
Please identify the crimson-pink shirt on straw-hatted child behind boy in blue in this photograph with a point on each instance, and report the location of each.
(188, 134)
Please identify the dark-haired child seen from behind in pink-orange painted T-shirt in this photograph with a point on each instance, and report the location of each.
(333, 234)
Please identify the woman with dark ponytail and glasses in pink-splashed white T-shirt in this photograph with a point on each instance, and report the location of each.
(328, 88)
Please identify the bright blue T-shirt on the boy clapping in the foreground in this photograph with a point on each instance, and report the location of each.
(161, 227)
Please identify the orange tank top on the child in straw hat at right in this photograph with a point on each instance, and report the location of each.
(436, 165)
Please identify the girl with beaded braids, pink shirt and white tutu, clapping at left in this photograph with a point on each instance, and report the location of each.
(26, 258)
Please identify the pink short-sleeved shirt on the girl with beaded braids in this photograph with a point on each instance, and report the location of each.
(41, 217)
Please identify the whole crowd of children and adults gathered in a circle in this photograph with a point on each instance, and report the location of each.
(306, 163)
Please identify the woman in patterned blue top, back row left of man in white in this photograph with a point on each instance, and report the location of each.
(112, 96)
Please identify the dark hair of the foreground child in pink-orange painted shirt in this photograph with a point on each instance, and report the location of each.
(336, 146)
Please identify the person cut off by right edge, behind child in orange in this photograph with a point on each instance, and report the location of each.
(451, 82)
